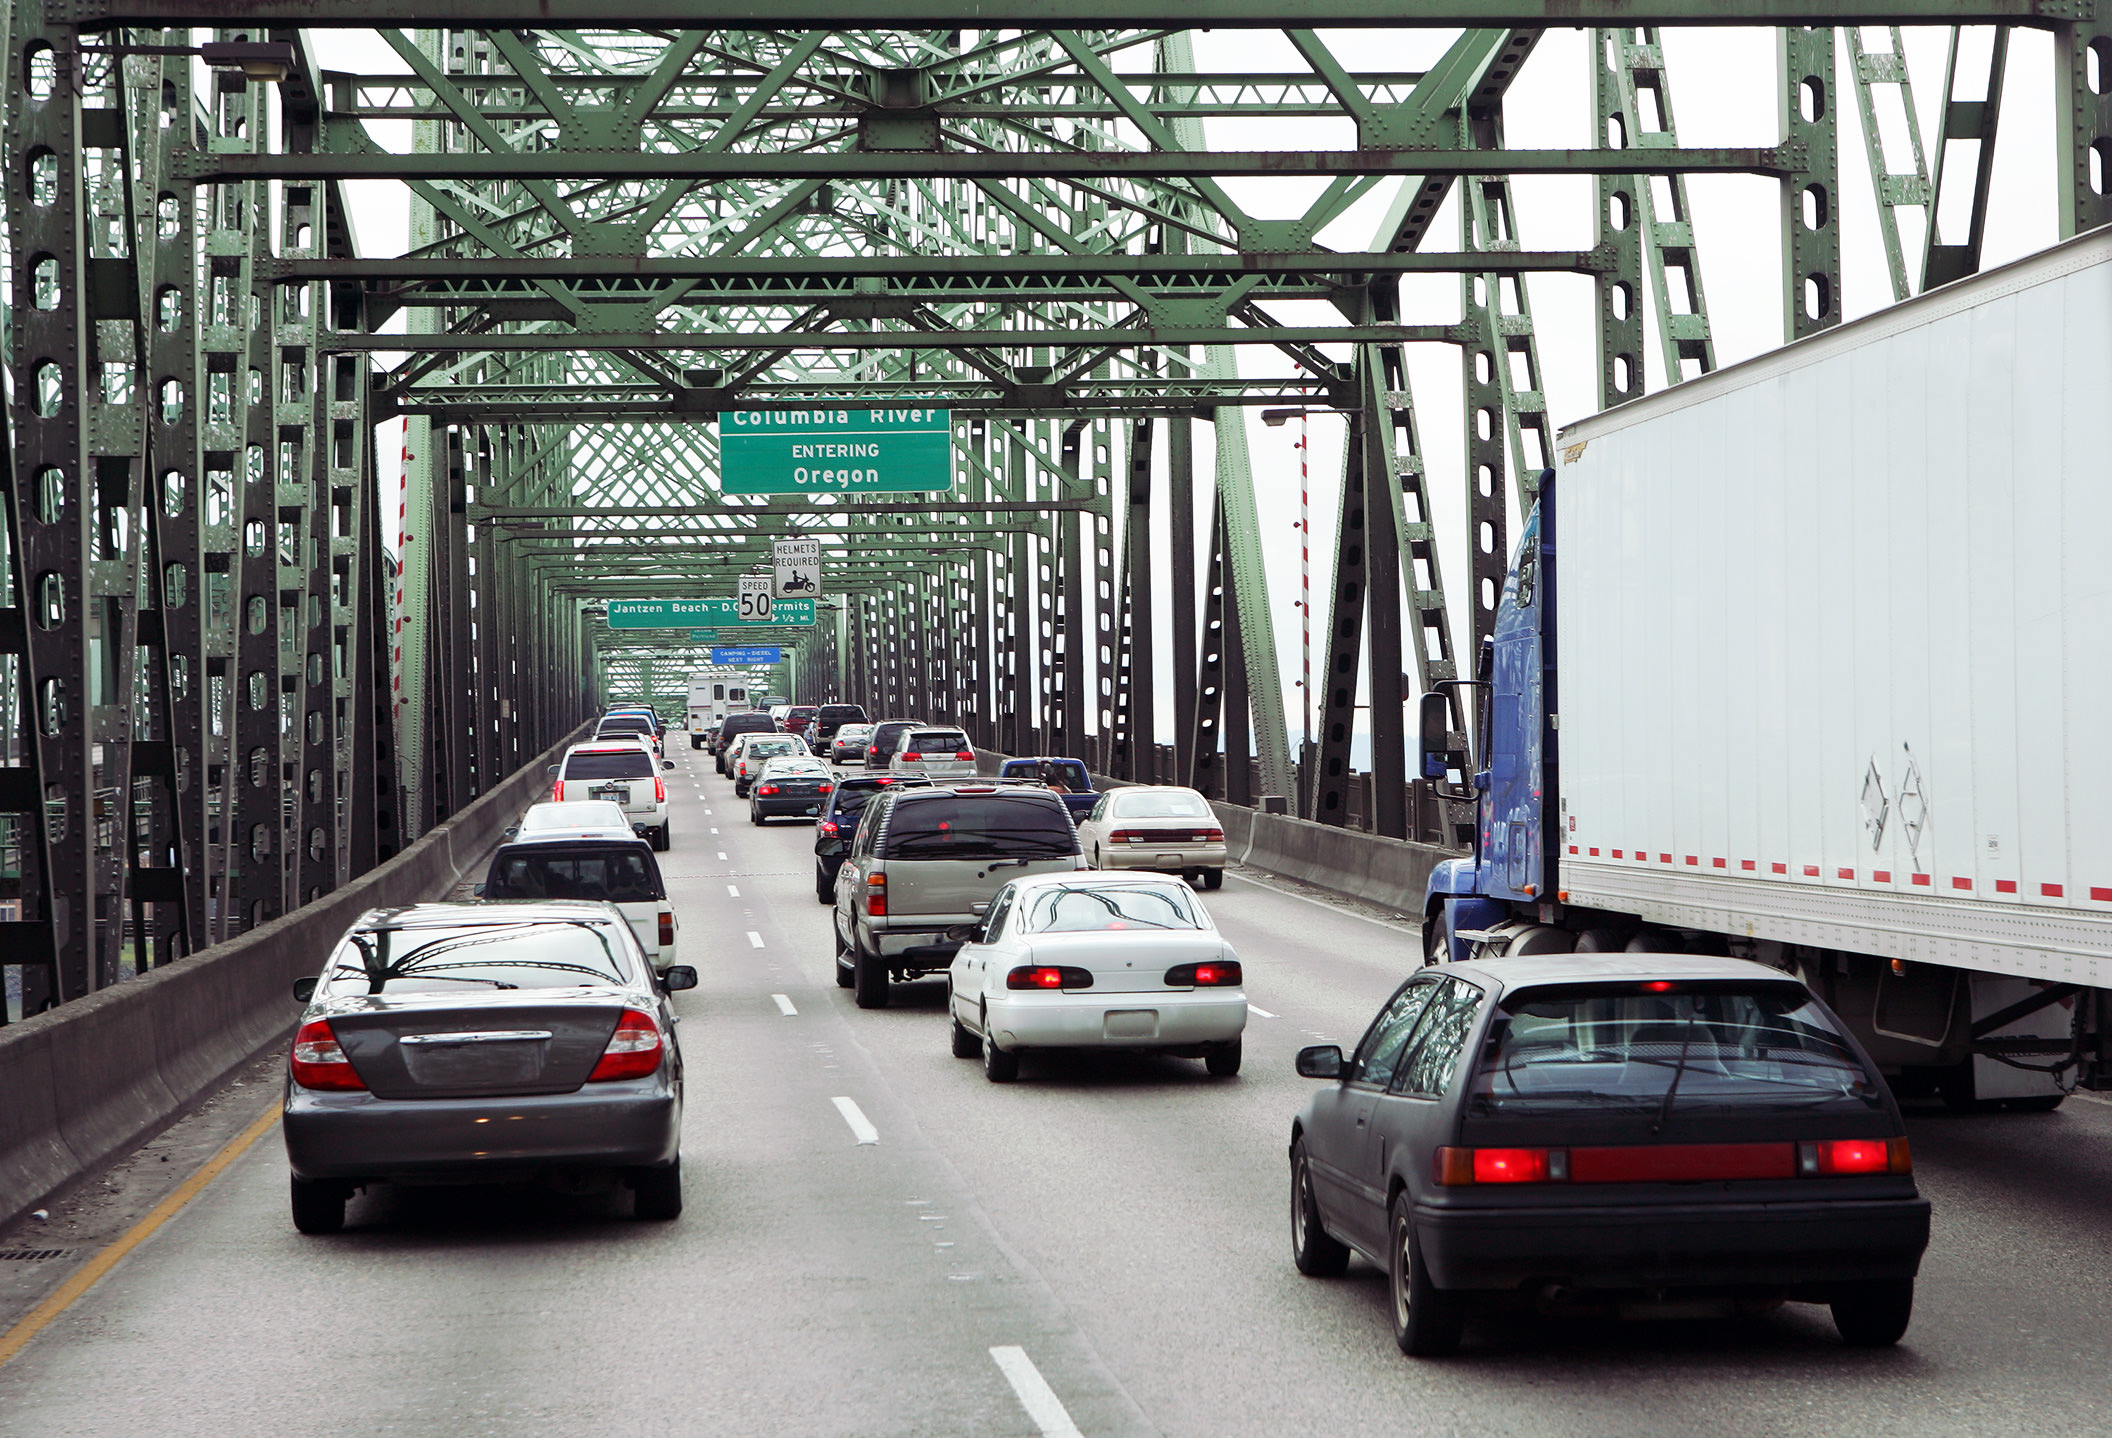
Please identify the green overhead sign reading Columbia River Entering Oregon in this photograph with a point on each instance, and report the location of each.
(835, 451)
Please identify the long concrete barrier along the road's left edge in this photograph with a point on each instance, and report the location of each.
(98, 1076)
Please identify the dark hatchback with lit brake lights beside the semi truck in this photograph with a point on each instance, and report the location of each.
(1608, 1131)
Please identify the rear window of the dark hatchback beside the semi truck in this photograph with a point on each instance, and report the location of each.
(1655, 1053)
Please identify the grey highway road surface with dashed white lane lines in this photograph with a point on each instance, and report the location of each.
(1099, 1249)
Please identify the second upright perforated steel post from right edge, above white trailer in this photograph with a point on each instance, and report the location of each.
(1811, 193)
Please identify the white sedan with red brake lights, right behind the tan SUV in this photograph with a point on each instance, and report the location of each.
(1095, 960)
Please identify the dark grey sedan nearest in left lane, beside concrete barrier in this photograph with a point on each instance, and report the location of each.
(483, 1044)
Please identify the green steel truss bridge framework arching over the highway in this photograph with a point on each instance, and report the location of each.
(219, 692)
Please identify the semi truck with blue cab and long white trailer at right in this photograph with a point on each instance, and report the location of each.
(1807, 660)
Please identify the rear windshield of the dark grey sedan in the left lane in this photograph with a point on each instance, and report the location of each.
(487, 955)
